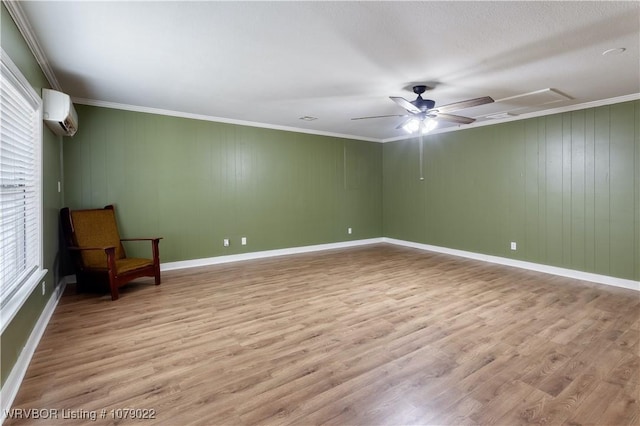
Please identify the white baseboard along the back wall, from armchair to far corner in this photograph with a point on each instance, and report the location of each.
(169, 266)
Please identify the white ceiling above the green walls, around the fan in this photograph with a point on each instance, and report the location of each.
(273, 62)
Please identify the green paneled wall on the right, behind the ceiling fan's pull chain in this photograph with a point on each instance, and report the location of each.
(565, 187)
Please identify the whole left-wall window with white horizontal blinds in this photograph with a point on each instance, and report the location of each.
(20, 189)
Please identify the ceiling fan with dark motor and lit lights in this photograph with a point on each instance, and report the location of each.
(424, 115)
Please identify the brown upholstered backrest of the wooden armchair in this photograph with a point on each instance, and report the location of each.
(96, 228)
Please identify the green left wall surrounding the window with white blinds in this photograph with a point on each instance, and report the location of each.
(16, 334)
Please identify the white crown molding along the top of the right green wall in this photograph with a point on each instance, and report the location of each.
(559, 110)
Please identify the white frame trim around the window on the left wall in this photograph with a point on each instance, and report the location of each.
(16, 299)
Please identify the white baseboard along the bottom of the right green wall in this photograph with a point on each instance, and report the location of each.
(554, 270)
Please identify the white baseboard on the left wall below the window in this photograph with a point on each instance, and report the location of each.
(14, 380)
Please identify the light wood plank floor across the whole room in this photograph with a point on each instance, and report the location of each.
(378, 335)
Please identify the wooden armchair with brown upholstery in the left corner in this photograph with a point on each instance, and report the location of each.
(96, 249)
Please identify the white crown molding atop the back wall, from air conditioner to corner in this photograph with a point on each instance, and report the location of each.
(160, 111)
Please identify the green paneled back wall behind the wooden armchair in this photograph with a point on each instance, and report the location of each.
(196, 182)
